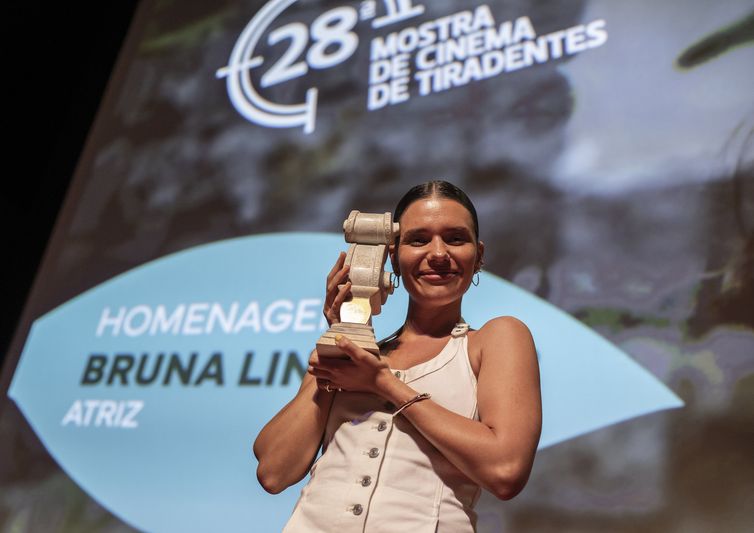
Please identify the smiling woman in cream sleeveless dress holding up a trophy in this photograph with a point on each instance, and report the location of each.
(413, 434)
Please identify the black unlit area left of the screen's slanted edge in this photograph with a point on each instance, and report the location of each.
(57, 60)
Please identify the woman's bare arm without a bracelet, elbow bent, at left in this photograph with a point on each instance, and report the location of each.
(288, 444)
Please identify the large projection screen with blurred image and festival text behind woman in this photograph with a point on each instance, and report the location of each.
(609, 148)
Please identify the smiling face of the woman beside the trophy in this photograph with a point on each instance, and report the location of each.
(437, 252)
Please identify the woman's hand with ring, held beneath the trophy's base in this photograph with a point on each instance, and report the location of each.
(361, 372)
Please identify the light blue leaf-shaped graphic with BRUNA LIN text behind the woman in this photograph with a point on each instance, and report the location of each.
(150, 388)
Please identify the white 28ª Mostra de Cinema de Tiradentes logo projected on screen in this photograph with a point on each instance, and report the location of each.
(437, 55)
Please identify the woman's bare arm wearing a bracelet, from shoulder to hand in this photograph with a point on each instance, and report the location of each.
(496, 452)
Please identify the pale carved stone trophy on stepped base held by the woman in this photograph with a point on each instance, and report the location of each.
(369, 235)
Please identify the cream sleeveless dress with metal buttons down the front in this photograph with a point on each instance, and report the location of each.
(378, 474)
